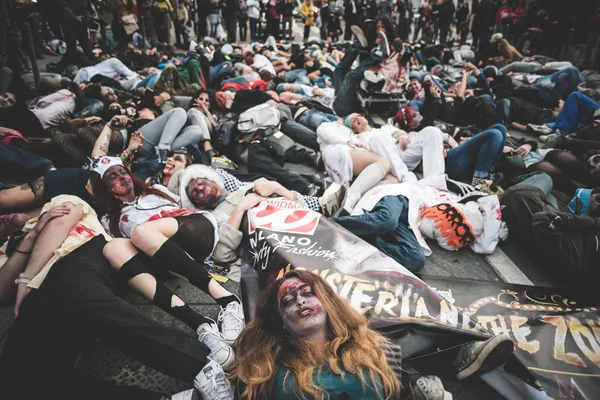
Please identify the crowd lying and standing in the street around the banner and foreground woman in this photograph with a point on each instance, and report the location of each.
(136, 157)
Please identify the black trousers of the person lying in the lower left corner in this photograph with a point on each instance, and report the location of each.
(77, 302)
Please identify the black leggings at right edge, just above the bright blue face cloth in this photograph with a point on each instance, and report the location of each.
(563, 166)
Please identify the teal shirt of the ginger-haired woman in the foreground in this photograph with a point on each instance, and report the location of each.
(348, 388)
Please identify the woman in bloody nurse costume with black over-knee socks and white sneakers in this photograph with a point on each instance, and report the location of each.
(176, 241)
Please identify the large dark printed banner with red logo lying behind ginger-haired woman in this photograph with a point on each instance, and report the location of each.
(557, 335)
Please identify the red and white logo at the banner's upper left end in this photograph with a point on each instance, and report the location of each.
(283, 216)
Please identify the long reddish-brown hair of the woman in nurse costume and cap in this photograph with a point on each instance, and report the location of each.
(111, 207)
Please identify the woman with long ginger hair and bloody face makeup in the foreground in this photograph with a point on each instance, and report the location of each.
(307, 342)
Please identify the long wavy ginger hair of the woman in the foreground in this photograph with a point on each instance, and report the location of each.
(352, 347)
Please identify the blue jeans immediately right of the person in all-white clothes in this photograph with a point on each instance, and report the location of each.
(477, 156)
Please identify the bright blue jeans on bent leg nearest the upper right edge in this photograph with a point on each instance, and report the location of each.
(575, 114)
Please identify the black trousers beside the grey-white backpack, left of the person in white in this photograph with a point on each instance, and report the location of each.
(260, 161)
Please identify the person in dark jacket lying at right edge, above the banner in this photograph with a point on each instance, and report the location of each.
(566, 243)
